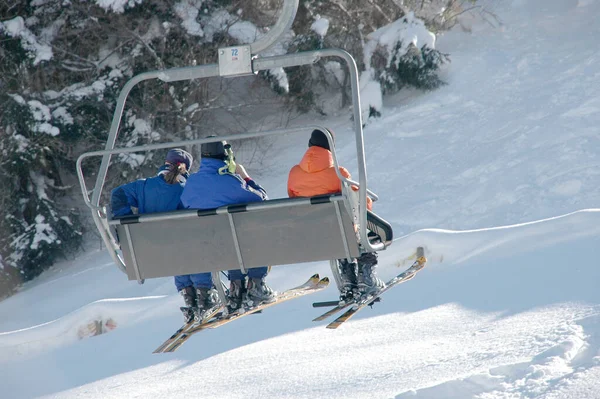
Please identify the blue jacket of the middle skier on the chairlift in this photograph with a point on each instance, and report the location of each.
(207, 189)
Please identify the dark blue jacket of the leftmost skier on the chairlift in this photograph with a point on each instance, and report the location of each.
(147, 195)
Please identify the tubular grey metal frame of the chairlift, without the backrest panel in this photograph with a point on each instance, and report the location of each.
(237, 61)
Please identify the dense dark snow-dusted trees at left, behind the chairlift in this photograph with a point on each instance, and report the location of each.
(62, 67)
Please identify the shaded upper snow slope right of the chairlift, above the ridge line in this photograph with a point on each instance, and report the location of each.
(514, 135)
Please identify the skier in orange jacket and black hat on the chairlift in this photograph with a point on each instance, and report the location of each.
(315, 175)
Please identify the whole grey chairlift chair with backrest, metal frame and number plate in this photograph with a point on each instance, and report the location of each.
(242, 236)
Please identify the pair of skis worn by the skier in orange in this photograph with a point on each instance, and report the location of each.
(360, 303)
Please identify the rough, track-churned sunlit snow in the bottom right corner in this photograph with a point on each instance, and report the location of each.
(574, 355)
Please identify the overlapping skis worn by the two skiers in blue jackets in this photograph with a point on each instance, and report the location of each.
(218, 318)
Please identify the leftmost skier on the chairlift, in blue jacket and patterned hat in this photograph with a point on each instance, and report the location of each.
(161, 193)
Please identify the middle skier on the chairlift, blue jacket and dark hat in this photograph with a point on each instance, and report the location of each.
(219, 182)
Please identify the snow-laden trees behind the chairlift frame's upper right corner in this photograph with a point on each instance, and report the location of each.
(391, 45)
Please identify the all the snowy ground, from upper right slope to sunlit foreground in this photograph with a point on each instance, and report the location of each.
(500, 312)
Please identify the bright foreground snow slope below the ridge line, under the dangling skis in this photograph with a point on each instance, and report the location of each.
(510, 312)
